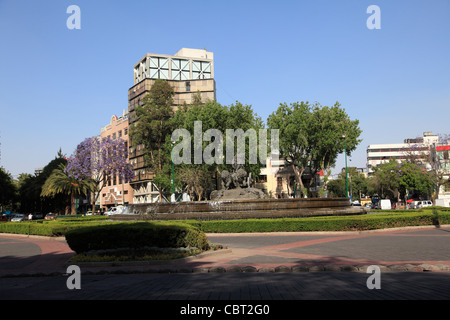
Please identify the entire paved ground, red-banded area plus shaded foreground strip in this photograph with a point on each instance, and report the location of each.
(209, 278)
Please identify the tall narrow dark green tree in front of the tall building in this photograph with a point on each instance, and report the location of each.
(154, 126)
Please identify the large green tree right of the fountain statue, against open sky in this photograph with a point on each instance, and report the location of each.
(312, 136)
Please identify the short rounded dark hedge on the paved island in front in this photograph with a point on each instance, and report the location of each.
(136, 235)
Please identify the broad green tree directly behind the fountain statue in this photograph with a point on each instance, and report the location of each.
(198, 177)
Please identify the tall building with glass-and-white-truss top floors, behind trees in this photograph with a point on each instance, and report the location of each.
(189, 72)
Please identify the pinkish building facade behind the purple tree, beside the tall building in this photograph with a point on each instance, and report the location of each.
(116, 191)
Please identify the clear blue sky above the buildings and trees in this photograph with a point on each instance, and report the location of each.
(60, 86)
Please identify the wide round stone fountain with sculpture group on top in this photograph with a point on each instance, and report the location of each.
(238, 199)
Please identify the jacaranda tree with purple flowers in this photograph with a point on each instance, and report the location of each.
(99, 159)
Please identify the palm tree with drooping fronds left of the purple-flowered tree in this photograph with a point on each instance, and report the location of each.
(60, 182)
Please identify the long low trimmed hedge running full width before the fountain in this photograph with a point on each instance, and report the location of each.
(379, 220)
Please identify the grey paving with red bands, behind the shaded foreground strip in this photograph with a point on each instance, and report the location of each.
(405, 249)
